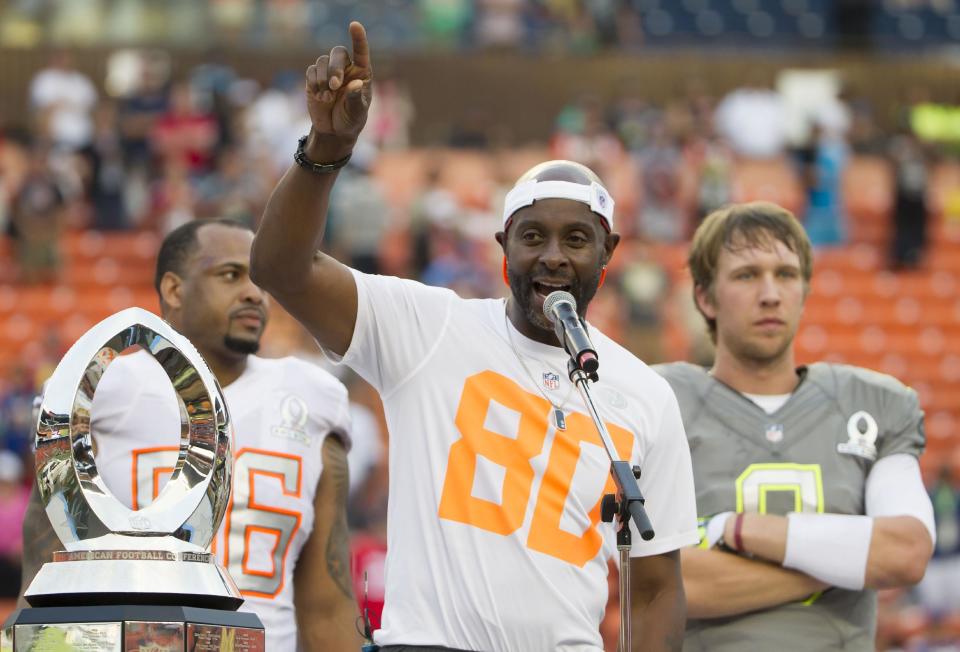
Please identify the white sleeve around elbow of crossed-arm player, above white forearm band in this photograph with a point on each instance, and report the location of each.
(895, 488)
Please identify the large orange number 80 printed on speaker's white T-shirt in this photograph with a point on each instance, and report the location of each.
(457, 503)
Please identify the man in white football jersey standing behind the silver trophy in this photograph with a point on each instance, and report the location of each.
(284, 537)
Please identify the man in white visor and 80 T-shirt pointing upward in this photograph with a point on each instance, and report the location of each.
(496, 471)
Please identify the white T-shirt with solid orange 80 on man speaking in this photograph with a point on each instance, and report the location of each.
(494, 540)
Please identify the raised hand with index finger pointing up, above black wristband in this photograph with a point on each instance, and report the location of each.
(339, 90)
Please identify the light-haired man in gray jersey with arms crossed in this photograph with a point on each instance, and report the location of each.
(808, 484)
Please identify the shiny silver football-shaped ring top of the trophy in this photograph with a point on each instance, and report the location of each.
(83, 511)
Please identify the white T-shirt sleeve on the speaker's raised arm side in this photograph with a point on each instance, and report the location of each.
(398, 328)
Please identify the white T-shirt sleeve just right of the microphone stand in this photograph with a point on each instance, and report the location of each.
(666, 482)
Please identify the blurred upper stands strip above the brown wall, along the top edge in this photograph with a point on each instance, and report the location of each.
(533, 25)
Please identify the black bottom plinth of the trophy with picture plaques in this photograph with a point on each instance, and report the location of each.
(131, 628)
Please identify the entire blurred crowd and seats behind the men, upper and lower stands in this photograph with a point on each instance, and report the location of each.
(100, 168)
